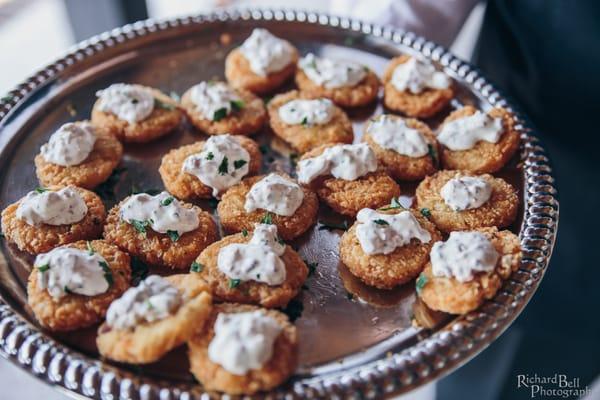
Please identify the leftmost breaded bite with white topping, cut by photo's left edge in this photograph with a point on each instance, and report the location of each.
(50, 217)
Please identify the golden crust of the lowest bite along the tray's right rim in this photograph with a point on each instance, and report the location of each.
(454, 297)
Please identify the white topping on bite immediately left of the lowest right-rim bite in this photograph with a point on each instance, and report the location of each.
(380, 233)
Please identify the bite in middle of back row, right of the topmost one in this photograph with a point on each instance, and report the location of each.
(347, 83)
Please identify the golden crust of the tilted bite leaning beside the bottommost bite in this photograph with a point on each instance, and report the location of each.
(148, 342)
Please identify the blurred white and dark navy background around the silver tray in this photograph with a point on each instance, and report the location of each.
(544, 54)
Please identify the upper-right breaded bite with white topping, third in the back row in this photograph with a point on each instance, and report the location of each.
(413, 87)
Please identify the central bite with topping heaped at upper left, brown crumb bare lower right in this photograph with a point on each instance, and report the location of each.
(346, 177)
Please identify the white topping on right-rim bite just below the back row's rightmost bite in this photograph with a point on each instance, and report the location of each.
(464, 133)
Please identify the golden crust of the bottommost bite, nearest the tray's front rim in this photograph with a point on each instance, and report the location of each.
(214, 377)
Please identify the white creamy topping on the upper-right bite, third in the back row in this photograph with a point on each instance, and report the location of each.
(417, 75)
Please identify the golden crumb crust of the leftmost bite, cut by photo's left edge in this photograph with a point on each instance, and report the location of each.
(43, 238)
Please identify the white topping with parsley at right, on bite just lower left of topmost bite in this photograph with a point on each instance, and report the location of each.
(212, 98)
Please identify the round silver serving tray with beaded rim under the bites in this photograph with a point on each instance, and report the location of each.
(355, 341)
